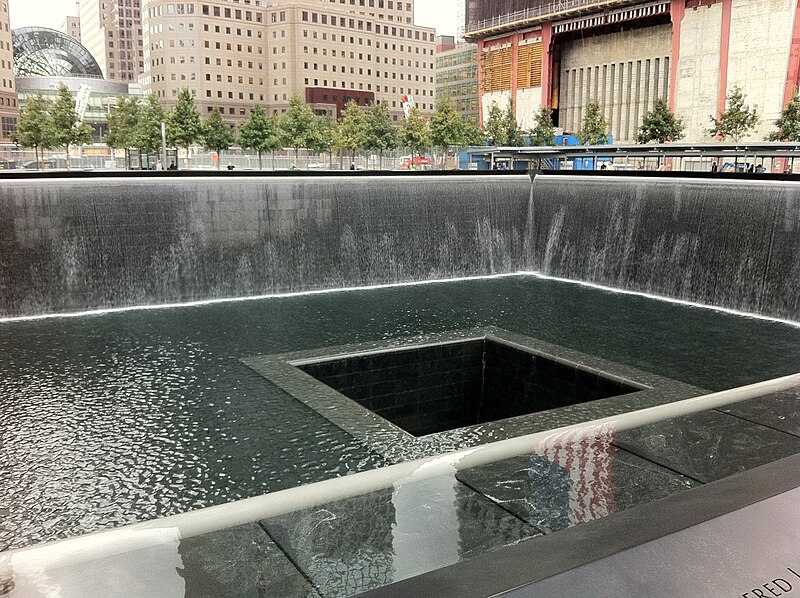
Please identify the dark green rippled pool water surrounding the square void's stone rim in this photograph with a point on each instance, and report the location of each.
(116, 418)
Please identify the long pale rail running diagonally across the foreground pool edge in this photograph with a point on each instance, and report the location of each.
(101, 544)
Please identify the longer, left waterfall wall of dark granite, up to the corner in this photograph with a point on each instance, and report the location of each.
(79, 244)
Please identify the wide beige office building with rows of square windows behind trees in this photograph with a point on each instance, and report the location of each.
(234, 53)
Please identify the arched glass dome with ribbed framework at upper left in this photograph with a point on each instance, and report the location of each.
(43, 52)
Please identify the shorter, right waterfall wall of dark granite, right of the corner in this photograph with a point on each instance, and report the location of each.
(729, 243)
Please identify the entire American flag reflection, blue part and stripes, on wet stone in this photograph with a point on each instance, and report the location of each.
(571, 477)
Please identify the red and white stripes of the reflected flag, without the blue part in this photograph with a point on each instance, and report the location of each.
(587, 462)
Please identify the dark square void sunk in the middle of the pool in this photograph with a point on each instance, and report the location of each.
(434, 388)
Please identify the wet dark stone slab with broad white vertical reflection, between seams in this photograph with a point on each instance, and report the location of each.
(365, 542)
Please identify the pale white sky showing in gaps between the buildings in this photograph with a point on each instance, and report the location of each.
(440, 14)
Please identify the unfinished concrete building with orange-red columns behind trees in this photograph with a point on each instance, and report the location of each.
(626, 54)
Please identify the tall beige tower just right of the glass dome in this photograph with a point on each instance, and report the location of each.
(112, 31)
